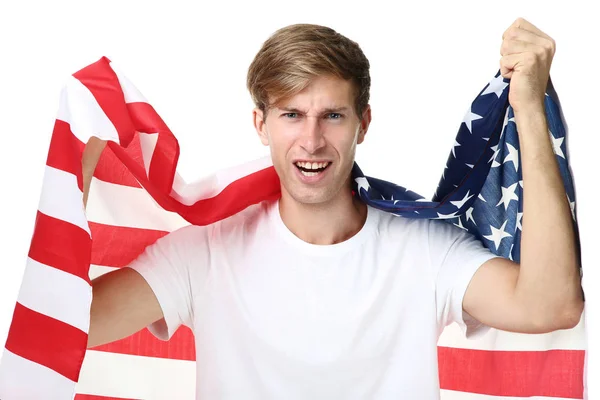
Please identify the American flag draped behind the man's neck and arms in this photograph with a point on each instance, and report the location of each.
(137, 197)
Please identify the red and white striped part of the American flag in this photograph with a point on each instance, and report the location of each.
(136, 197)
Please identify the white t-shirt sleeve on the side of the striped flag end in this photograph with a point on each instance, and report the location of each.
(175, 266)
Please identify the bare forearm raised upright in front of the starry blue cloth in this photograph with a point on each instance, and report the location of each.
(549, 280)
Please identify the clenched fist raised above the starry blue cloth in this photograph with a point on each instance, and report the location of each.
(527, 54)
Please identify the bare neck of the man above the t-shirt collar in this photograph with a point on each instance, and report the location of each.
(324, 223)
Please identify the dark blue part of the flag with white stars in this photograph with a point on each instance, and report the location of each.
(481, 189)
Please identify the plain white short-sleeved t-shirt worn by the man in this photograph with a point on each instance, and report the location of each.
(275, 317)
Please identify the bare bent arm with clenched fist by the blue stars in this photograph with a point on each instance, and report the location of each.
(544, 292)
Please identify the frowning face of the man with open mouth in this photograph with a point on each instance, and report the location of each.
(312, 137)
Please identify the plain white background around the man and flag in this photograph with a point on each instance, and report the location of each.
(428, 62)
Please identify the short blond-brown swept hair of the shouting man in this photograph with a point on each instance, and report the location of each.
(295, 54)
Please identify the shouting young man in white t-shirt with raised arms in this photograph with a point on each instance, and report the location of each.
(319, 296)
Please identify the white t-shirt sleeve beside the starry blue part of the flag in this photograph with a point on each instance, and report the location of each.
(455, 256)
